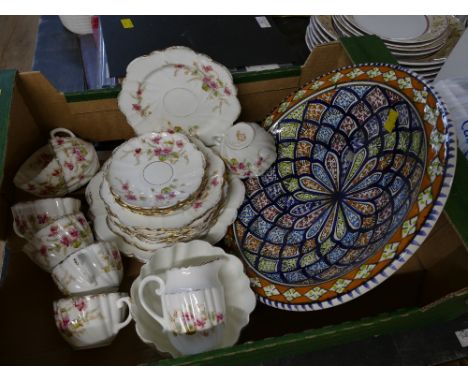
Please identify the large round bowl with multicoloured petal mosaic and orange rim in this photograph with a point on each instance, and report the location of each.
(365, 162)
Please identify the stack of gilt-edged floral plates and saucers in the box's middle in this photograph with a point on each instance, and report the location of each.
(161, 188)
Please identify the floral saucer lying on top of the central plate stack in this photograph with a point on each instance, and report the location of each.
(156, 171)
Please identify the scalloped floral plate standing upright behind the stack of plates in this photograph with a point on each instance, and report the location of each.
(178, 87)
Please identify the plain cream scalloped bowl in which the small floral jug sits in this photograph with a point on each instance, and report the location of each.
(240, 300)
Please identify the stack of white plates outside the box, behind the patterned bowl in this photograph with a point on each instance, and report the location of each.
(421, 43)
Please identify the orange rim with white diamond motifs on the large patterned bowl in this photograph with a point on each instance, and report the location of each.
(402, 245)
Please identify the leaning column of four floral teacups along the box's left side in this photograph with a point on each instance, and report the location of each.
(60, 241)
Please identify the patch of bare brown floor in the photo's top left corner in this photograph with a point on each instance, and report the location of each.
(17, 41)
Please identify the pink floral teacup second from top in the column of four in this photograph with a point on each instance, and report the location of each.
(55, 242)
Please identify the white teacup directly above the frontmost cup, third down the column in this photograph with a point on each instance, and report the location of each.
(93, 269)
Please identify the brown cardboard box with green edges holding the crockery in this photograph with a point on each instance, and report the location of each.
(431, 287)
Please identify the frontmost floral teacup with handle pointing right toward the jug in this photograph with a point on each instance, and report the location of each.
(91, 321)
